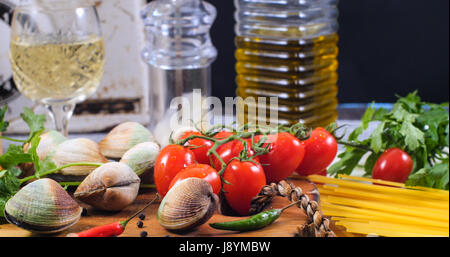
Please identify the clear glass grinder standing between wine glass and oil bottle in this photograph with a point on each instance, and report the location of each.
(180, 53)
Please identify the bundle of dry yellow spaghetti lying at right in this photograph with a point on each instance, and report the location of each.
(376, 207)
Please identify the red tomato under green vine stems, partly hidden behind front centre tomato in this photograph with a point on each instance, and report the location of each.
(230, 150)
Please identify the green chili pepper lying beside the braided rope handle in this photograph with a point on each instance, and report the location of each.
(258, 221)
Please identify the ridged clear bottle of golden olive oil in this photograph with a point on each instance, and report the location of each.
(288, 49)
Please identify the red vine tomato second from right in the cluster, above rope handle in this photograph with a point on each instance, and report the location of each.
(286, 154)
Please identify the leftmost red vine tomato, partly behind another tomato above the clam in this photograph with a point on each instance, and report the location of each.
(171, 160)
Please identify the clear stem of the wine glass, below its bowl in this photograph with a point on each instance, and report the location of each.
(61, 114)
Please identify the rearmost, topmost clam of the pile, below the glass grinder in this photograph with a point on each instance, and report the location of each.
(123, 137)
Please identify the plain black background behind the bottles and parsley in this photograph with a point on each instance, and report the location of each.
(387, 47)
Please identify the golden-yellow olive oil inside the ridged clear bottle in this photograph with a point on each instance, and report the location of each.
(301, 73)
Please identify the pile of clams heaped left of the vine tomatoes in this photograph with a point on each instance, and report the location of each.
(127, 153)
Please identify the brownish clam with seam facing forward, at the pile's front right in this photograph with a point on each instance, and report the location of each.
(112, 187)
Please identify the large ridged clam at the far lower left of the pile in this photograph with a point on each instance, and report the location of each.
(42, 206)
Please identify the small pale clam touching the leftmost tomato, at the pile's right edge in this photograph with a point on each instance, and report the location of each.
(141, 158)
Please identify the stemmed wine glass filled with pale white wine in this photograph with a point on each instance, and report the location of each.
(57, 55)
